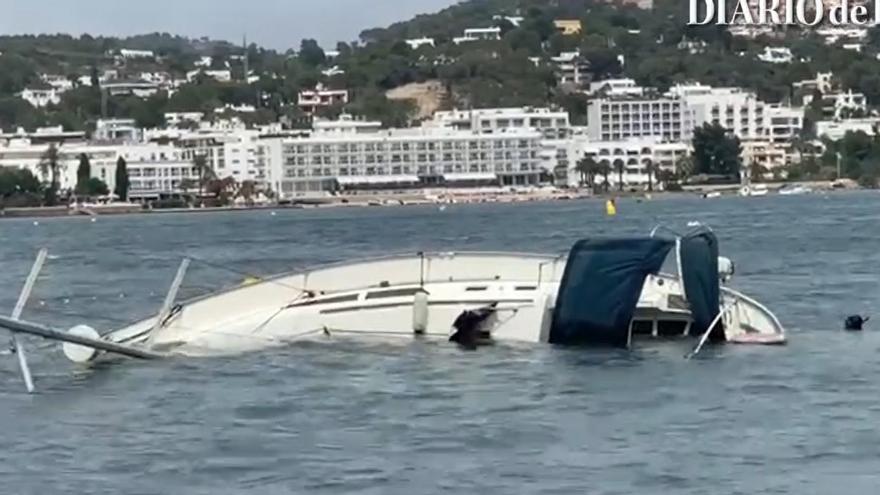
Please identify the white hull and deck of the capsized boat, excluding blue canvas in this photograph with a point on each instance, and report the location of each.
(377, 298)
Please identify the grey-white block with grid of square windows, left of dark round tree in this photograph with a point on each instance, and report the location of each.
(615, 119)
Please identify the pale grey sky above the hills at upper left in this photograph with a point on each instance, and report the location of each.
(278, 24)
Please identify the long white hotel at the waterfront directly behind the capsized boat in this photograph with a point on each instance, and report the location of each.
(403, 158)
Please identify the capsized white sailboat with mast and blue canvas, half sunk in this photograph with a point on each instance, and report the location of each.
(603, 292)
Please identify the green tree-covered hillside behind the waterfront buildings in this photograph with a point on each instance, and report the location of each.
(513, 71)
